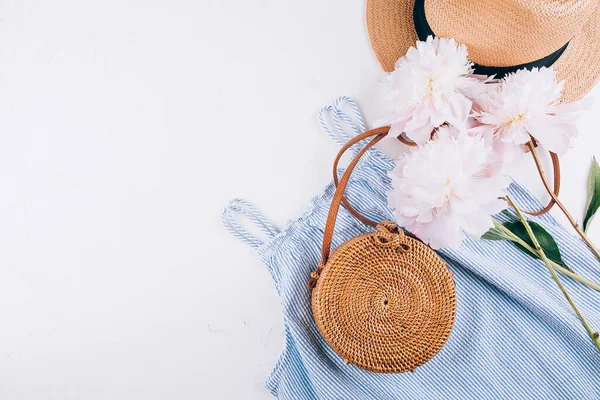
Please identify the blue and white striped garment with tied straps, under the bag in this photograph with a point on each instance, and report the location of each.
(515, 336)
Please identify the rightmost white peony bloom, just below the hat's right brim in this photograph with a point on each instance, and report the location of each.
(527, 103)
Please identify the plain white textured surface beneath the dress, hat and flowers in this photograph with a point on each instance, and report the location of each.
(125, 127)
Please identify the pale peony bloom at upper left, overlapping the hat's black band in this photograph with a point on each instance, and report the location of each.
(432, 84)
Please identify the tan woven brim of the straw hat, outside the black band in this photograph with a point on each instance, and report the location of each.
(391, 32)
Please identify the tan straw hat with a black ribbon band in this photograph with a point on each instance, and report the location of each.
(501, 35)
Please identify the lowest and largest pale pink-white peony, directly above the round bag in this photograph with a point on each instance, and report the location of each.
(448, 188)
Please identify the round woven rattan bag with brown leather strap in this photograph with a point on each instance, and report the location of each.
(384, 301)
